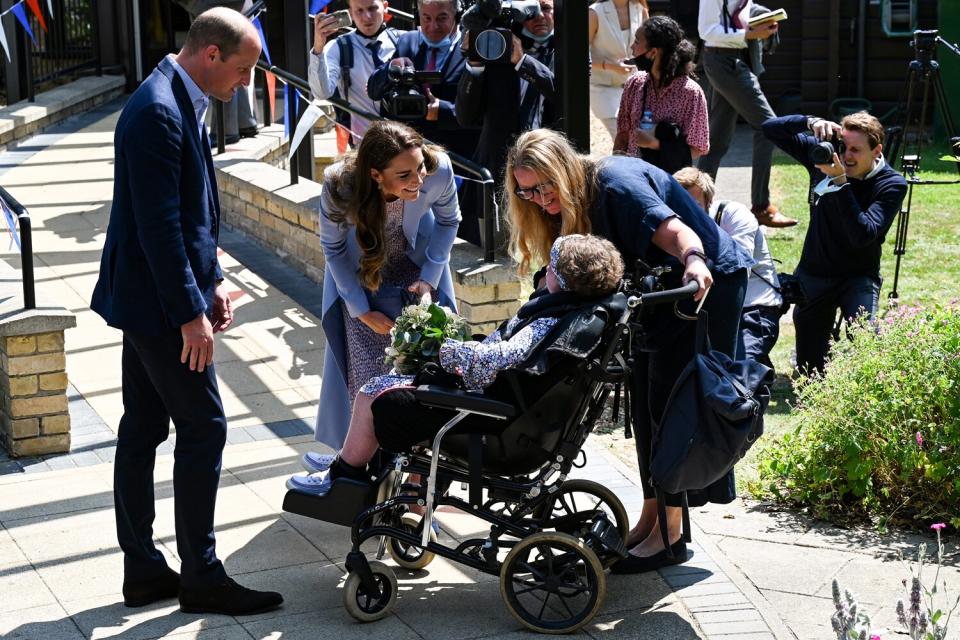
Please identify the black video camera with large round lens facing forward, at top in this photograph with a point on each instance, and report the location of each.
(491, 22)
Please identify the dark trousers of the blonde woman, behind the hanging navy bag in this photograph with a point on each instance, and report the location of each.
(658, 368)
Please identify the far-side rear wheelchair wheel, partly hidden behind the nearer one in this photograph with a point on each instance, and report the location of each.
(570, 507)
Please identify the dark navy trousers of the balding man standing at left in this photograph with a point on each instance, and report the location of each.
(156, 389)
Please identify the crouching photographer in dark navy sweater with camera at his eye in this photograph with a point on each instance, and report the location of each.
(855, 196)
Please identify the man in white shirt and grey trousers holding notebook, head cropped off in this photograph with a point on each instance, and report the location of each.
(724, 29)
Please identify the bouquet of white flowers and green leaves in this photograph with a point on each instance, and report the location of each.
(419, 332)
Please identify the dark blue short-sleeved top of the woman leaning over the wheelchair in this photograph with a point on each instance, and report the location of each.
(633, 197)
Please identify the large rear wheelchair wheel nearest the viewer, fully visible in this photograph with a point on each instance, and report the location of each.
(552, 583)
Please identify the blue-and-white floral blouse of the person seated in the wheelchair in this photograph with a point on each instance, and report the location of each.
(477, 362)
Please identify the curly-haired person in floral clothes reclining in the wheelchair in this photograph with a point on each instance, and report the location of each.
(582, 267)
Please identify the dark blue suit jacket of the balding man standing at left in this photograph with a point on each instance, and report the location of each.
(159, 267)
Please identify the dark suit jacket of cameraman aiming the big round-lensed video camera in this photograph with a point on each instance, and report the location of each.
(491, 100)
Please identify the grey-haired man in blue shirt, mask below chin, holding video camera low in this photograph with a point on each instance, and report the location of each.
(435, 46)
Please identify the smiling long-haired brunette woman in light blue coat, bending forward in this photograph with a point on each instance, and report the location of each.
(388, 218)
